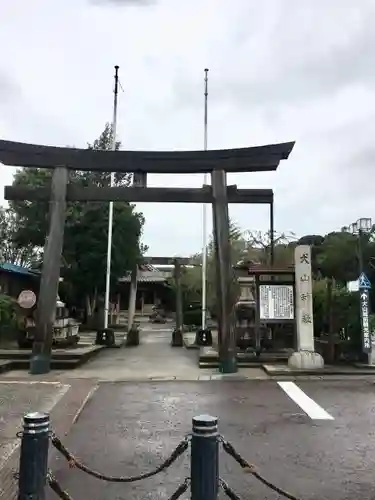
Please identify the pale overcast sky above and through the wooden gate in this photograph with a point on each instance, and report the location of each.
(279, 70)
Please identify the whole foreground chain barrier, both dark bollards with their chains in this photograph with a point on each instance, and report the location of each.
(33, 475)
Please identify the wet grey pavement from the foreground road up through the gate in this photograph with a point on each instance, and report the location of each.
(313, 438)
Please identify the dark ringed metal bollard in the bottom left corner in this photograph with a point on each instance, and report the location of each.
(33, 466)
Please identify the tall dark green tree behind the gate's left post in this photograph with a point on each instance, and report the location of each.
(86, 229)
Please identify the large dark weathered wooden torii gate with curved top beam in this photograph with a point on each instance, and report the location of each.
(215, 162)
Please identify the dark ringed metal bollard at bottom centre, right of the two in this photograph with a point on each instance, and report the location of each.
(204, 458)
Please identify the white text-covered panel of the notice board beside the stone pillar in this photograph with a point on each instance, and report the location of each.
(276, 302)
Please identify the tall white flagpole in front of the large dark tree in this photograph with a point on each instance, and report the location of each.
(110, 213)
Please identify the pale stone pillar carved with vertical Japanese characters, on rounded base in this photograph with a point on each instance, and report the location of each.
(305, 357)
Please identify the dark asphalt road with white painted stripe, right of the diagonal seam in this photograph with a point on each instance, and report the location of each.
(324, 450)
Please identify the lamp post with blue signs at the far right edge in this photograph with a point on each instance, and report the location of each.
(359, 228)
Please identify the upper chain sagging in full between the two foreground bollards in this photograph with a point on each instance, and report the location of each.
(74, 462)
